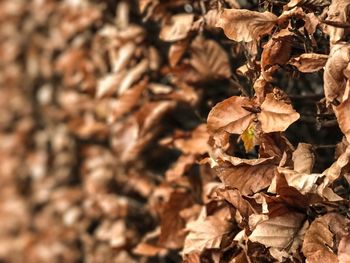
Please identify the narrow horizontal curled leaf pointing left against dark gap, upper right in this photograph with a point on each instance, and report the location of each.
(309, 62)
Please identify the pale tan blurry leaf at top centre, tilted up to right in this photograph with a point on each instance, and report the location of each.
(178, 27)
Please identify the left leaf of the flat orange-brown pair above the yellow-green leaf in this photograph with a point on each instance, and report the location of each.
(230, 116)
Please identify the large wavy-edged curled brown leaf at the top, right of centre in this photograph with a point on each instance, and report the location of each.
(245, 25)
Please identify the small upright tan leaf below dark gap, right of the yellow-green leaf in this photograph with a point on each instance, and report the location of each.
(303, 158)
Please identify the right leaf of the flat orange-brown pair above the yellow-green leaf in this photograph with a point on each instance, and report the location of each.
(276, 115)
